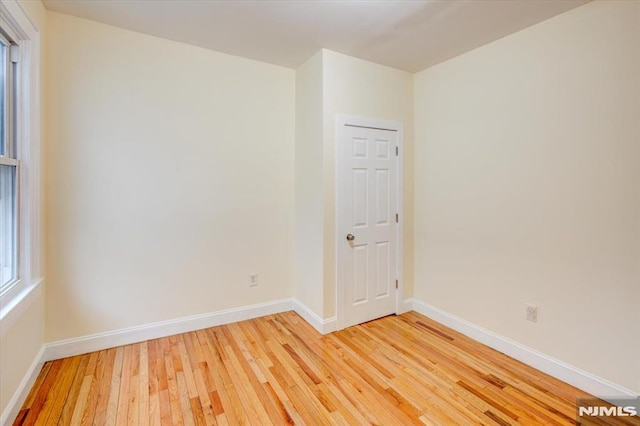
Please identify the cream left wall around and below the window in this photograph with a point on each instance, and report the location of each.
(21, 342)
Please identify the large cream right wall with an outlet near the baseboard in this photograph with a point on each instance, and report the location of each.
(526, 188)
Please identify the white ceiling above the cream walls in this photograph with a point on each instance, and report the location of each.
(409, 35)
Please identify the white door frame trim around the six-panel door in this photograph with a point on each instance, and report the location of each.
(342, 121)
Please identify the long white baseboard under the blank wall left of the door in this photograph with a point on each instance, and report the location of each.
(127, 336)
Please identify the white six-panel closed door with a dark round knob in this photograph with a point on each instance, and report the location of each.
(367, 227)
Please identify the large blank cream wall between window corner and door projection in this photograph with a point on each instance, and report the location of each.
(170, 179)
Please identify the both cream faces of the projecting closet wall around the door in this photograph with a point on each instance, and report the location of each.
(329, 84)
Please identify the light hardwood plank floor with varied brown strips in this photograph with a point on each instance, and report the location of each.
(398, 370)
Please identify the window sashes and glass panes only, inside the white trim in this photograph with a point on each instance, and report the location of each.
(9, 166)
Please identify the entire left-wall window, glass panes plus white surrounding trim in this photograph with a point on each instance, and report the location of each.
(20, 220)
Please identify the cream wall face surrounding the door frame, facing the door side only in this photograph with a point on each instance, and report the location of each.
(355, 87)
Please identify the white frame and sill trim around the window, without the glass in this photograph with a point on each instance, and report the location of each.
(15, 301)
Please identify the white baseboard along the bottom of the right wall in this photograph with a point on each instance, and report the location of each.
(581, 379)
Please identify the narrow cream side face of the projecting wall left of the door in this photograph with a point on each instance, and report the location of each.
(308, 264)
